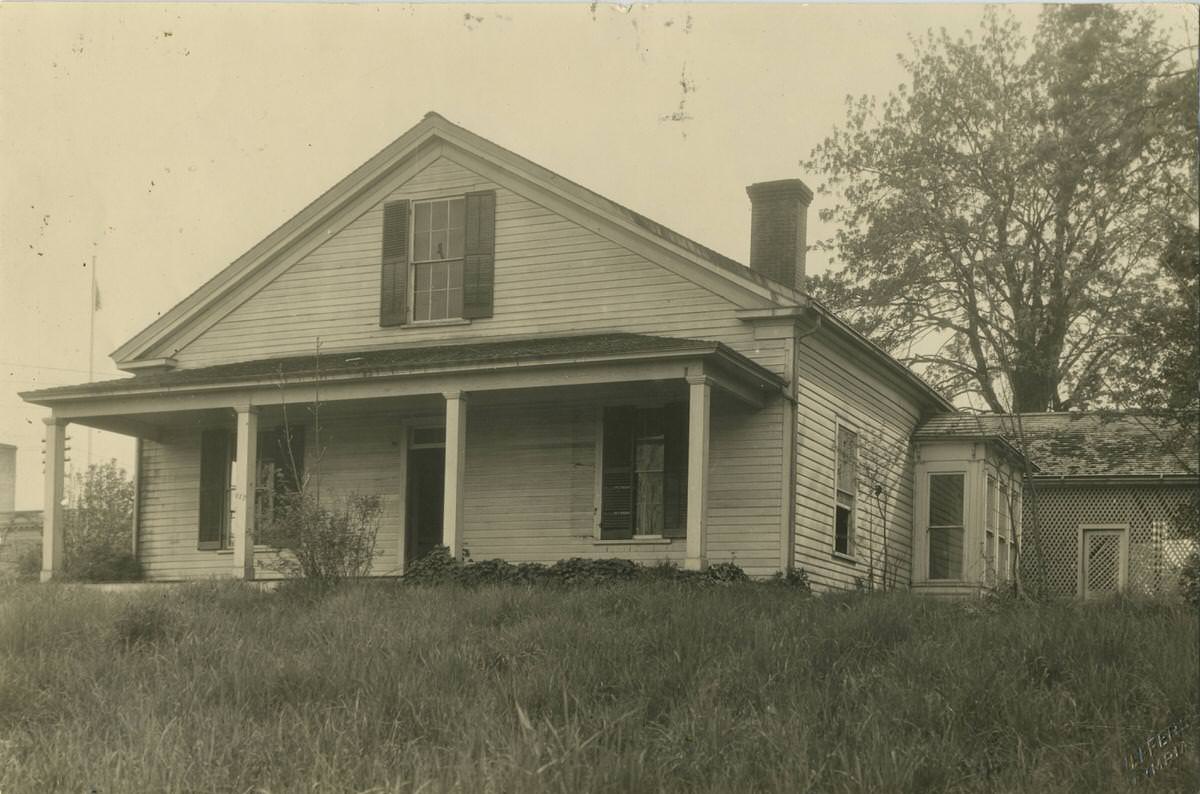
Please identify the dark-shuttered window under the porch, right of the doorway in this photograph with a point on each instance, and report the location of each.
(645, 472)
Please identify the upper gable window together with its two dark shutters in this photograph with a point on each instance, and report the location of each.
(439, 260)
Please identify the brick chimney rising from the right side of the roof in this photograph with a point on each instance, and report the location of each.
(779, 215)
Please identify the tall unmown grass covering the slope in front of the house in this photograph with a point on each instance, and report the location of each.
(635, 688)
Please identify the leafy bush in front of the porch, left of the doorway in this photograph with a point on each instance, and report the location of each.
(317, 543)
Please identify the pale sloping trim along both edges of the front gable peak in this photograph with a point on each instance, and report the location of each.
(370, 175)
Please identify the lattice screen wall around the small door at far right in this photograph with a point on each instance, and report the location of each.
(1162, 533)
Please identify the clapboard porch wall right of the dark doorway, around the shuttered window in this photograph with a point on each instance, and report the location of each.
(531, 488)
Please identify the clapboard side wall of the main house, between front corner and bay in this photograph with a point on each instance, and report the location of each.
(836, 383)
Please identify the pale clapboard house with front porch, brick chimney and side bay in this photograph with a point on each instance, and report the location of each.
(526, 370)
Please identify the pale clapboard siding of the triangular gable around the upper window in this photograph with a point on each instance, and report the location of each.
(553, 276)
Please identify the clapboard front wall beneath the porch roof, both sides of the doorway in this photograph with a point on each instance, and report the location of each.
(530, 490)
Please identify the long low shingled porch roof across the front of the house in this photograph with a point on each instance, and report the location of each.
(418, 360)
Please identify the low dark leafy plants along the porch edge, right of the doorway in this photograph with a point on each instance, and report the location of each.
(439, 568)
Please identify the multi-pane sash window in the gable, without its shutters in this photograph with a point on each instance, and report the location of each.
(439, 233)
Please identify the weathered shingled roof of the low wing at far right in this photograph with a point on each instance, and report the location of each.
(1094, 444)
